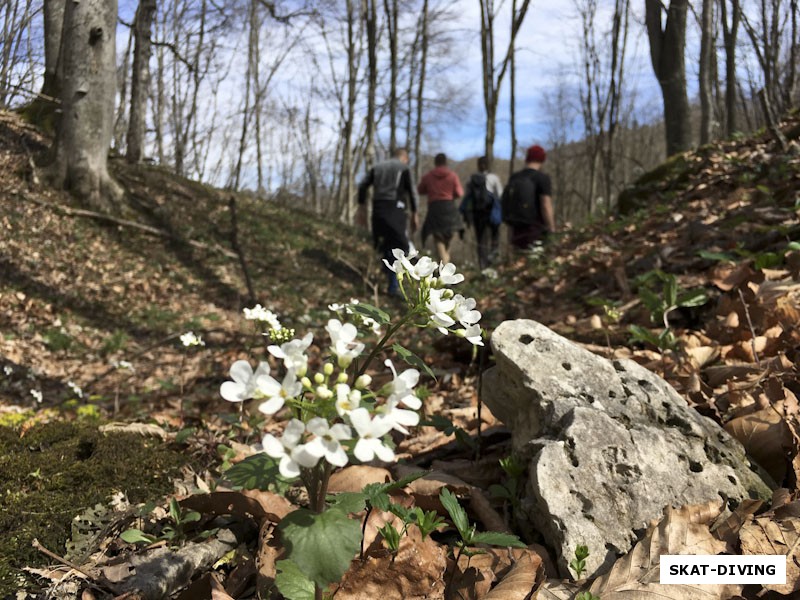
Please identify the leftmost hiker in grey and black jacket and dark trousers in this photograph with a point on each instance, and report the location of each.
(393, 191)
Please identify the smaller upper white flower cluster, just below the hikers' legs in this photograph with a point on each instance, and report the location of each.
(446, 310)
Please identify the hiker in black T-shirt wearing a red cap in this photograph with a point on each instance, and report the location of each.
(528, 204)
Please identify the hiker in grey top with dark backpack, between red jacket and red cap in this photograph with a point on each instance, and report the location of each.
(481, 208)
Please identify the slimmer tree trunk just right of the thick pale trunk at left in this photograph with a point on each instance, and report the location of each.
(140, 79)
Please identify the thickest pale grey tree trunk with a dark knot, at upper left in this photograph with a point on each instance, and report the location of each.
(87, 101)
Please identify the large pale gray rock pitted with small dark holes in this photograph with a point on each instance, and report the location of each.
(609, 444)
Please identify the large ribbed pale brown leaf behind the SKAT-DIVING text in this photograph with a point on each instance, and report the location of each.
(636, 575)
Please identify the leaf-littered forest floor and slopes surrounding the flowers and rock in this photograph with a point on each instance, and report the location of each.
(701, 284)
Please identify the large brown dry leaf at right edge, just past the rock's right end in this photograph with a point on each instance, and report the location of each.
(765, 436)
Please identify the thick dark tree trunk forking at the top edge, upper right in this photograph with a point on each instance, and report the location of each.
(667, 45)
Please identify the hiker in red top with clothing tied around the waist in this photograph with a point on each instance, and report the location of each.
(443, 188)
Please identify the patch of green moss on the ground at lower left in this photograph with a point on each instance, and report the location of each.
(56, 470)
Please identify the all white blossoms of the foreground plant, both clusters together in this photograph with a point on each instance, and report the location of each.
(335, 414)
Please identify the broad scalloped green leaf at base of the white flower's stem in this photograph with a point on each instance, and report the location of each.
(321, 544)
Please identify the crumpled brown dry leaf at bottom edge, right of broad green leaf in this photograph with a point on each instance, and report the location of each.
(416, 573)
